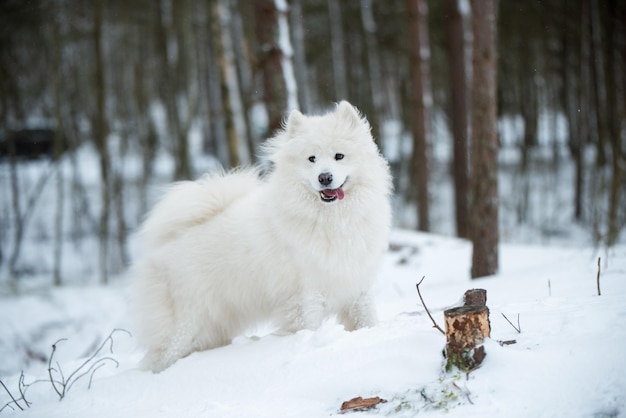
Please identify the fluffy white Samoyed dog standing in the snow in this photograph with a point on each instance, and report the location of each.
(295, 247)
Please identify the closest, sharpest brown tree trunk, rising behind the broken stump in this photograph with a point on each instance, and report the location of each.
(484, 140)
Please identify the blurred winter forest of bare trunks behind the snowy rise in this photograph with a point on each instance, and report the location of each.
(132, 95)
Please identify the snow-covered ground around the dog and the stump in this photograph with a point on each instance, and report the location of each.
(568, 360)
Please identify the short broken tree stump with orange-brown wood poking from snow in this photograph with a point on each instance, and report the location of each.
(466, 328)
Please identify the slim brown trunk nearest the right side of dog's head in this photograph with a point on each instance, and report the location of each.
(421, 103)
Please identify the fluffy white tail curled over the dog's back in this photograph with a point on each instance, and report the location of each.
(191, 203)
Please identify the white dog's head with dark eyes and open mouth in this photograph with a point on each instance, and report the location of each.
(326, 152)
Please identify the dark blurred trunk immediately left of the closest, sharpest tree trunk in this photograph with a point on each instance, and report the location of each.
(458, 96)
